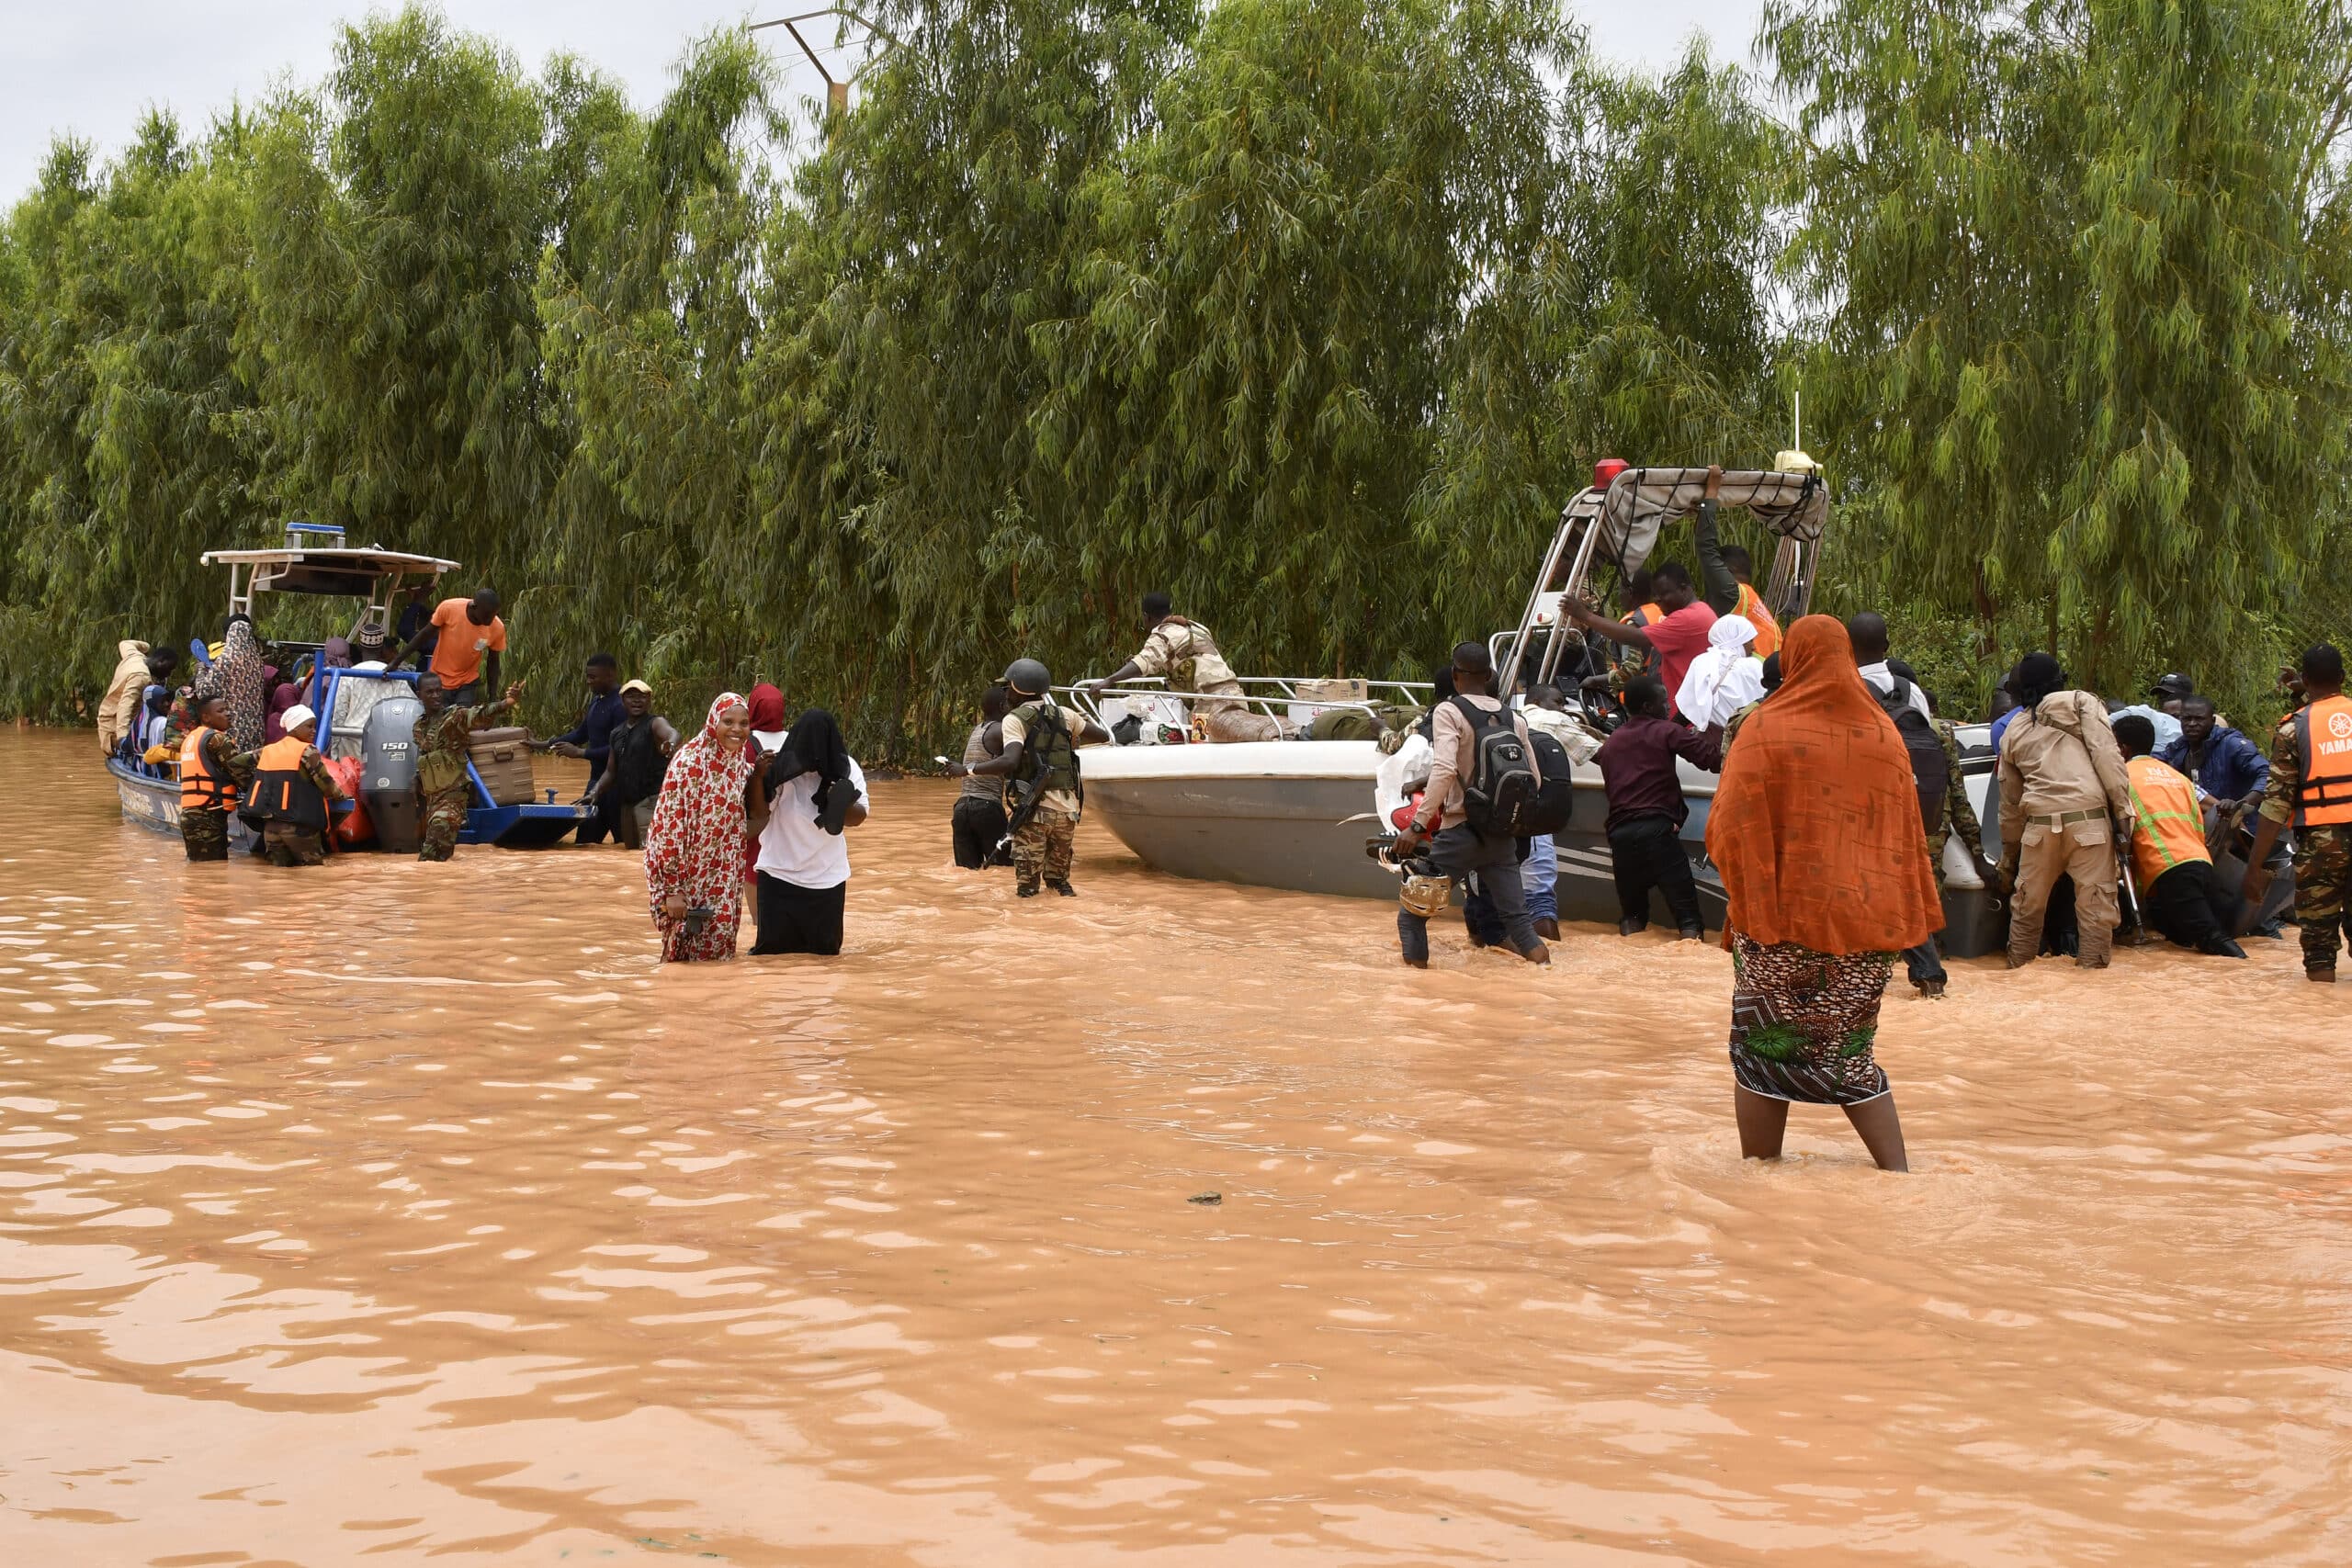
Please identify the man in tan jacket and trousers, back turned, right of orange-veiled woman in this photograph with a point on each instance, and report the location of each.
(2066, 803)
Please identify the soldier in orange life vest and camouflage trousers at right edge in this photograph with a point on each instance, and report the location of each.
(2311, 777)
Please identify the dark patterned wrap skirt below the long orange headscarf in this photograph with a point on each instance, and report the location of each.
(1805, 1024)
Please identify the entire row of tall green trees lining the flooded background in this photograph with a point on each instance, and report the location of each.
(1307, 311)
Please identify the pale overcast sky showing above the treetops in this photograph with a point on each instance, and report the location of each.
(93, 69)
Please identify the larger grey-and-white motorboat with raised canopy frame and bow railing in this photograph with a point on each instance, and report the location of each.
(1297, 815)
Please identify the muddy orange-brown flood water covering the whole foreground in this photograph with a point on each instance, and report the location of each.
(396, 1212)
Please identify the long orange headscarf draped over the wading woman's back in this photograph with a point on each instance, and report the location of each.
(1817, 822)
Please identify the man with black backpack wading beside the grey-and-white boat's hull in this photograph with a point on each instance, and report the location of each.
(1488, 791)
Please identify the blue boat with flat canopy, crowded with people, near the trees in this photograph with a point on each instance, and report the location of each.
(316, 563)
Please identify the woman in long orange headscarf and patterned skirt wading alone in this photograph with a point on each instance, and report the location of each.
(1817, 836)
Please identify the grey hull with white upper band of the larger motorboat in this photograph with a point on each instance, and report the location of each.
(1274, 815)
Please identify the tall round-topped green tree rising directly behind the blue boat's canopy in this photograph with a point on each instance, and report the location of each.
(396, 229)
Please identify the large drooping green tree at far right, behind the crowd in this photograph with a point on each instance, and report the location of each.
(2078, 279)
